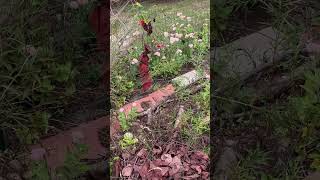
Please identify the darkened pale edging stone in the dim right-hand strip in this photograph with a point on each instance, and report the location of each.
(246, 54)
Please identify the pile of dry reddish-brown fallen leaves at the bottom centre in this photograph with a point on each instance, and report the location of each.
(176, 162)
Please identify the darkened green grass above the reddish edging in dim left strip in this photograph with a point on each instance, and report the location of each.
(40, 64)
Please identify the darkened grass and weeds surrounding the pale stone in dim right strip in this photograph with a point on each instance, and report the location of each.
(271, 124)
